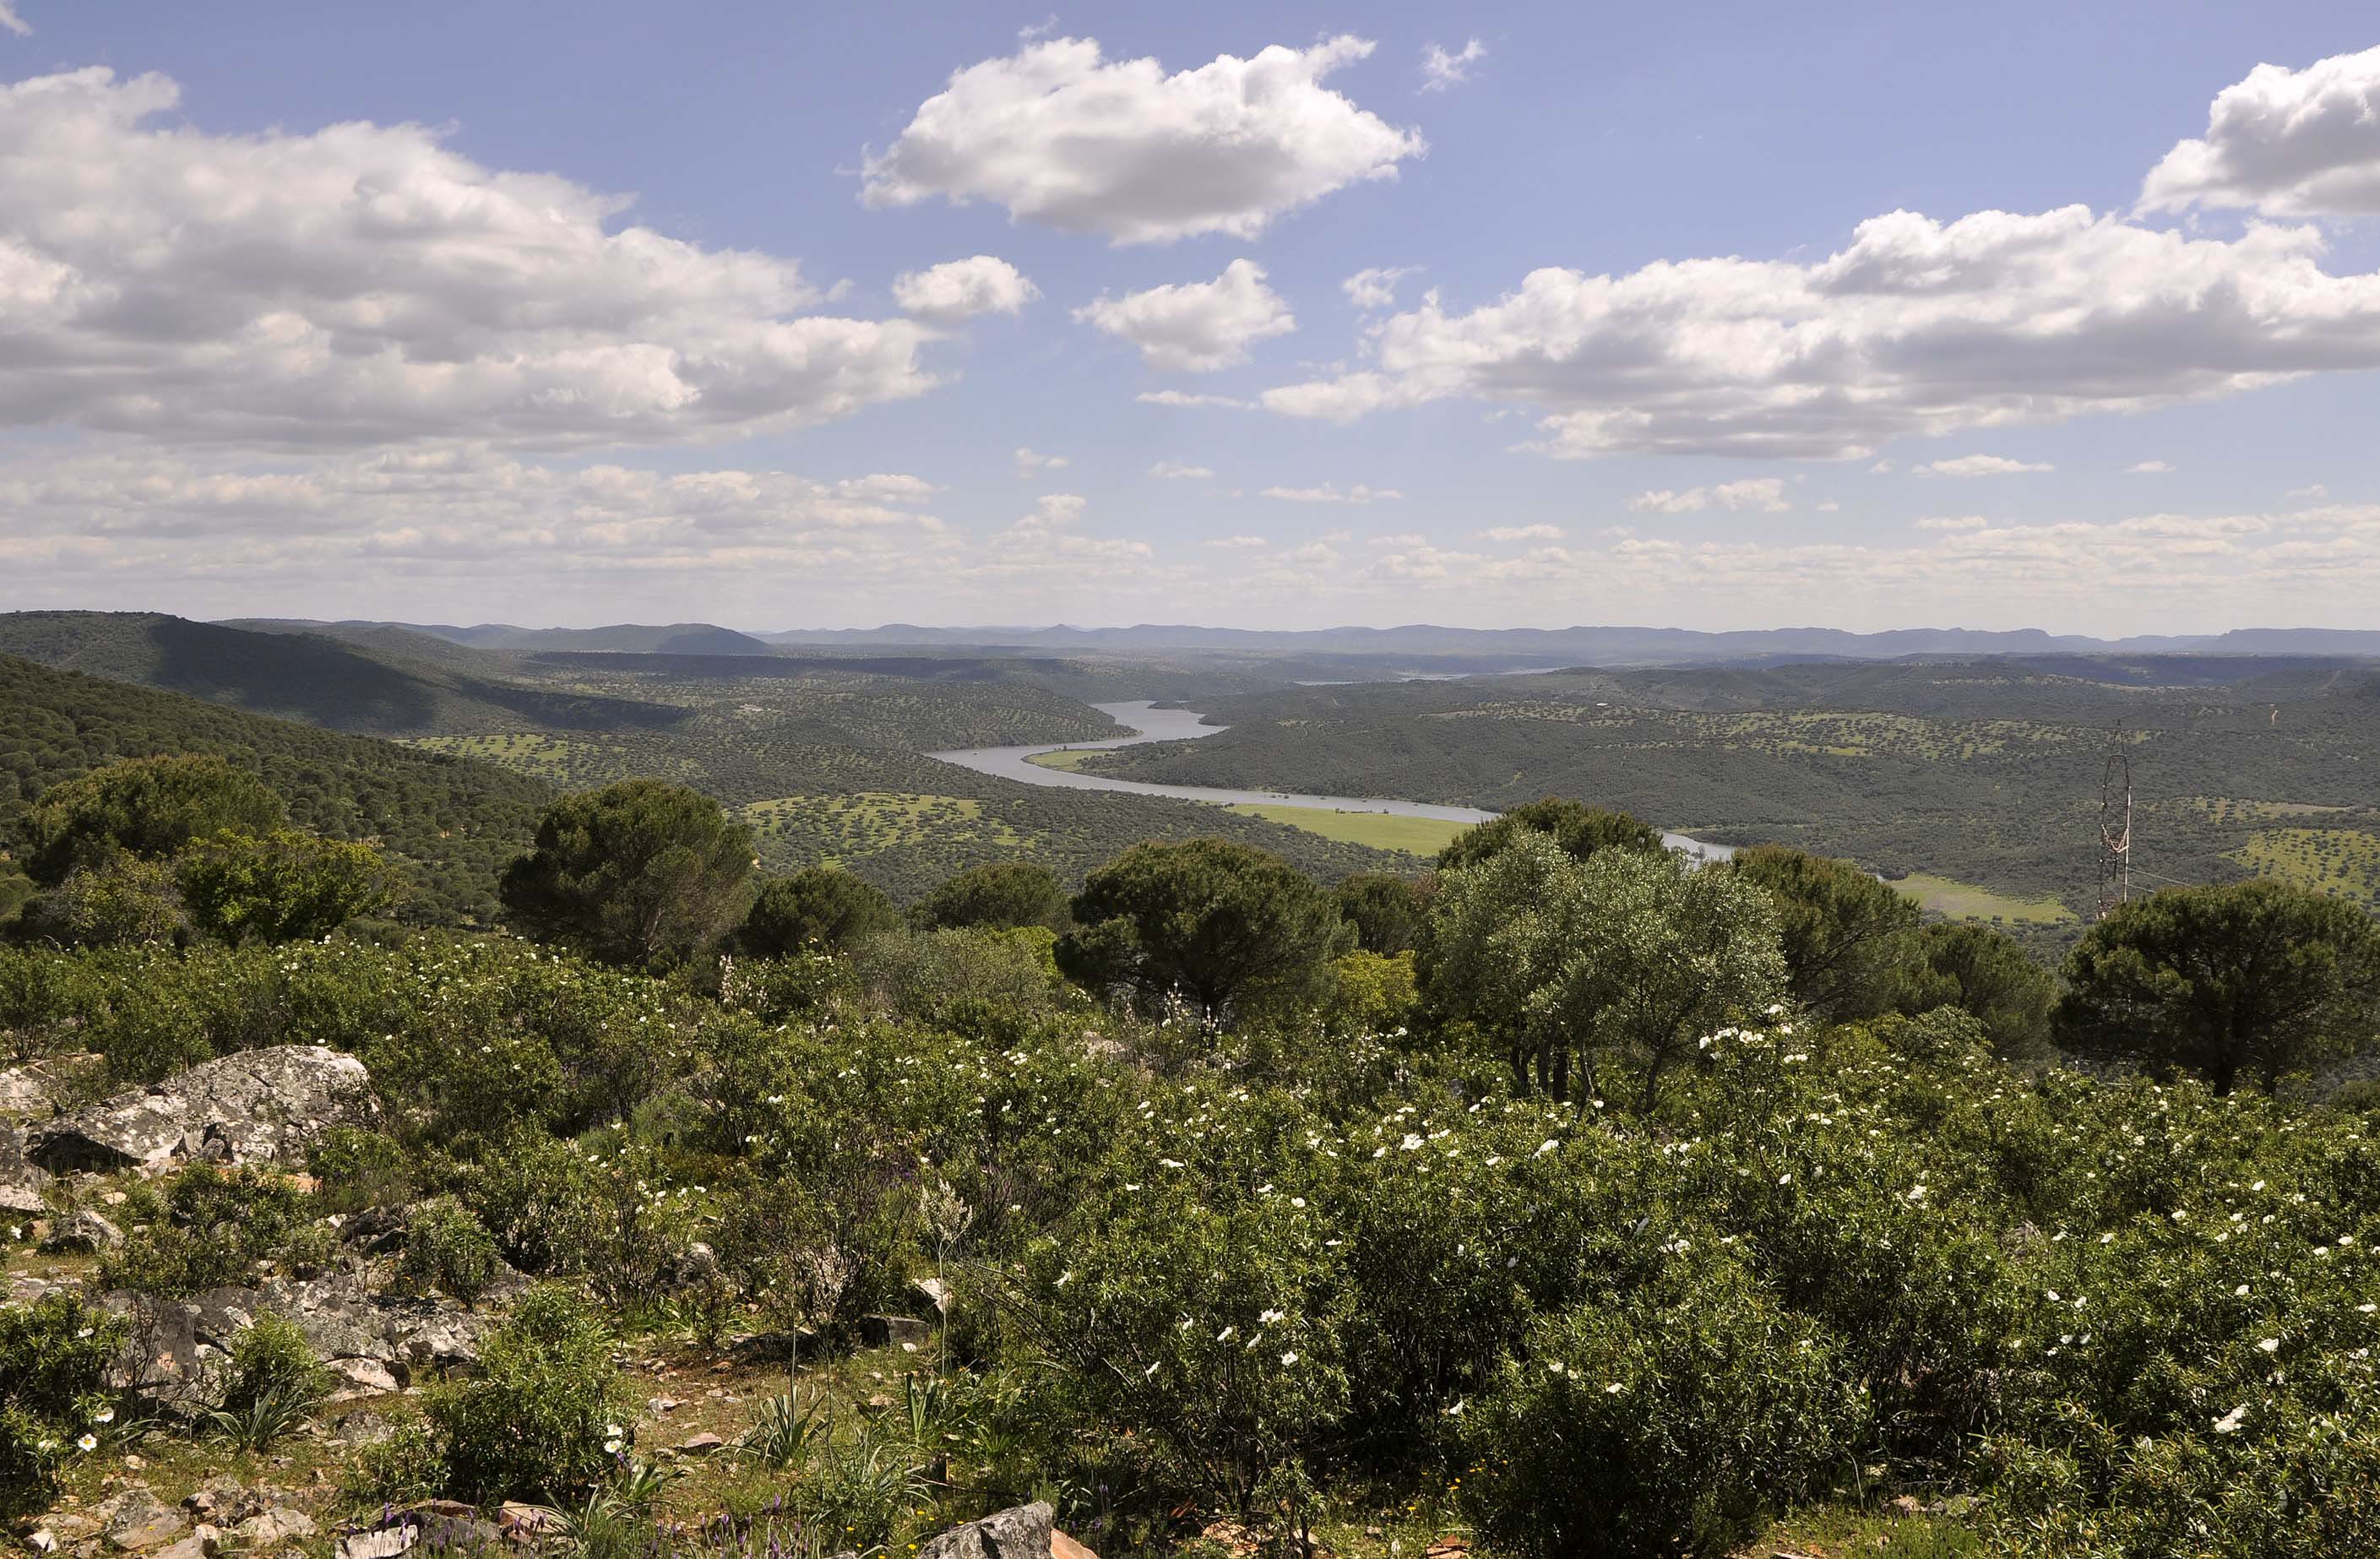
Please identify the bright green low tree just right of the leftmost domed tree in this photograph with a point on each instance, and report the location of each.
(280, 889)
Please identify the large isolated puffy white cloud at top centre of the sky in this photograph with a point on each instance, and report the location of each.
(1089, 146)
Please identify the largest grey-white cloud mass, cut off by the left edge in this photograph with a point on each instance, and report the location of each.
(368, 287)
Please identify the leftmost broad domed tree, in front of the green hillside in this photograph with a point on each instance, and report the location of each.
(146, 808)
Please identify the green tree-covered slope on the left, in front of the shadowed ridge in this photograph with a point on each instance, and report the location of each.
(449, 822)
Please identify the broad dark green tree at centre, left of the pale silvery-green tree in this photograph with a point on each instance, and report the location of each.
(1225, 925)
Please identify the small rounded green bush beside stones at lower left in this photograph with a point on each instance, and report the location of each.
(541, 1420)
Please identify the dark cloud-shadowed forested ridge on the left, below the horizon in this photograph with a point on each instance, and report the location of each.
(325, 682)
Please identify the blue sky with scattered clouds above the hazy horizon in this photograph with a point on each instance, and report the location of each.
(1520, 315)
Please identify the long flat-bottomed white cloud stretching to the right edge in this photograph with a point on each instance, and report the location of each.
(1917, 330)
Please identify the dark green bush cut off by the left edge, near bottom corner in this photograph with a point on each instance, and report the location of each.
(54, 1391)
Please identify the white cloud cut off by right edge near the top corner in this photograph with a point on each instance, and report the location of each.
(2284, 144)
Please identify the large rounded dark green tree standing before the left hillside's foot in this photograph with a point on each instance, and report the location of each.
(639, 872)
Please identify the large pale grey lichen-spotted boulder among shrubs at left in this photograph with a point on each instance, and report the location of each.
(258, 1106)
